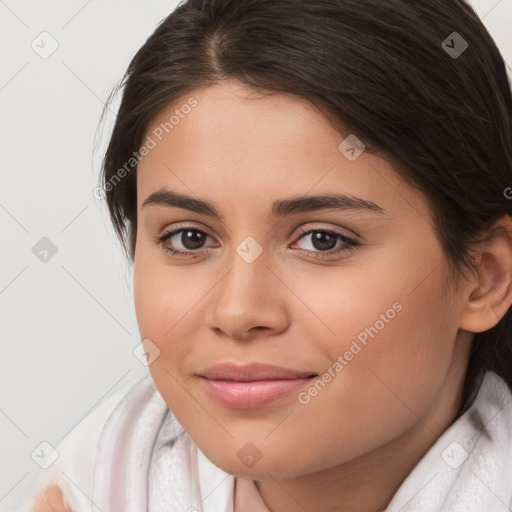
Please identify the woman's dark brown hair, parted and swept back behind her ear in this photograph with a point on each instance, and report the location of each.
(377, 69)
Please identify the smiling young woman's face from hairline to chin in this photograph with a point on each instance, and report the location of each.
(271, 283)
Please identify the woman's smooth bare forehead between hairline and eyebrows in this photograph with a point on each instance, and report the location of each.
(235, 145)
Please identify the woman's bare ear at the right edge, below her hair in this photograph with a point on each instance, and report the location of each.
(490, 292)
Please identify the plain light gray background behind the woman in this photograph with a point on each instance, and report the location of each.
(68, 326)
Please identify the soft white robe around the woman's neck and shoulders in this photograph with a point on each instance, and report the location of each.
(131, 455)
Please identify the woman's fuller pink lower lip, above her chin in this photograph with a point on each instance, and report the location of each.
(251, 395)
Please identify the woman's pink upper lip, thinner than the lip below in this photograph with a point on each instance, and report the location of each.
(252, 372)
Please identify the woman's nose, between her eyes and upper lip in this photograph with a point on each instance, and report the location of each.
(249, 301)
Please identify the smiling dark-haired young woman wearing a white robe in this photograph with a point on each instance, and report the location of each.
(315, 199)
